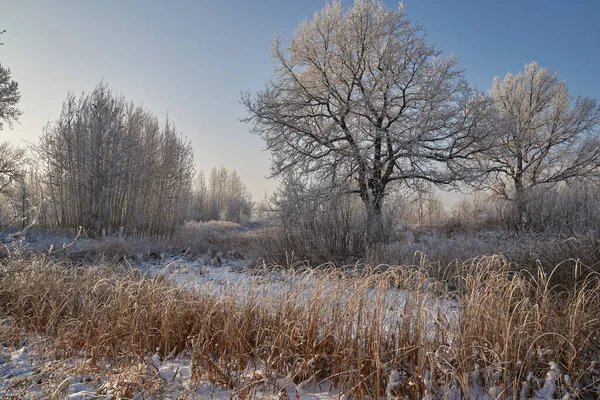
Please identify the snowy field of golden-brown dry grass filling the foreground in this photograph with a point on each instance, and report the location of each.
(116, 318)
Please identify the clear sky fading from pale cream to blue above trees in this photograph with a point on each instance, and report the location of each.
(192, 58)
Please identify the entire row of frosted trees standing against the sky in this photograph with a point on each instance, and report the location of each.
(360, 104)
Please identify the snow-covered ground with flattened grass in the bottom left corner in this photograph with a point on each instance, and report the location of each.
(32, 370)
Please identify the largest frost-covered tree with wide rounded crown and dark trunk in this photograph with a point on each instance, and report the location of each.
(359, 96)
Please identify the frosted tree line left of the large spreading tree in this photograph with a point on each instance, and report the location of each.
(109, 166)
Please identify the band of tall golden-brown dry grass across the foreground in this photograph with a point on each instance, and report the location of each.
(489, 327)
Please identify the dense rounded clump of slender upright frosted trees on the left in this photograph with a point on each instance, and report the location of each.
(108, 164)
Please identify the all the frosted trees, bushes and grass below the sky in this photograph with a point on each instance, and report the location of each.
(126, 275)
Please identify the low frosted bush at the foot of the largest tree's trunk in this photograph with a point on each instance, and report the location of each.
(315, 222)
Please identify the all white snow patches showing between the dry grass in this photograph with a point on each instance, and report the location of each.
(33, 368)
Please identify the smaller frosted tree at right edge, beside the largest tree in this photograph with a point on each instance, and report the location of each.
(543, 136)
